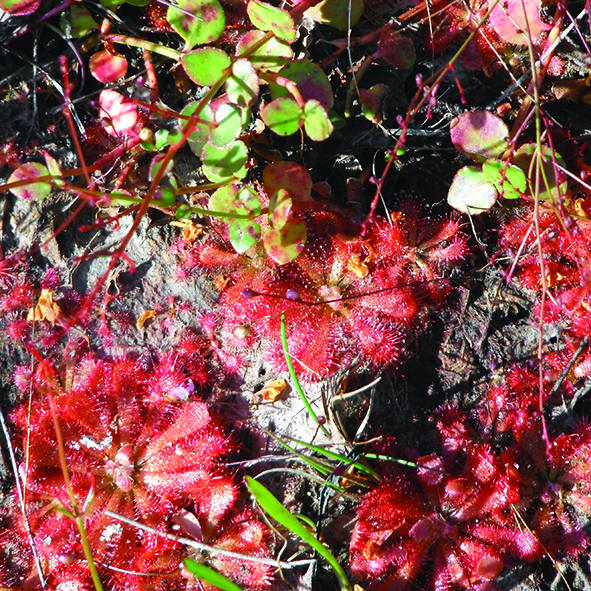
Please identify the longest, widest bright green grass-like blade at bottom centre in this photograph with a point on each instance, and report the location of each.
(282, 515)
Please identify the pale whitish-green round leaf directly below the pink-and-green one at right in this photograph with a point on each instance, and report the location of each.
(471, 192)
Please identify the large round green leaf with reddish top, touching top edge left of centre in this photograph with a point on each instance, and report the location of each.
(205, 26)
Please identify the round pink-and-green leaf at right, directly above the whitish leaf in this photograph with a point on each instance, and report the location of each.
(479, 134)
